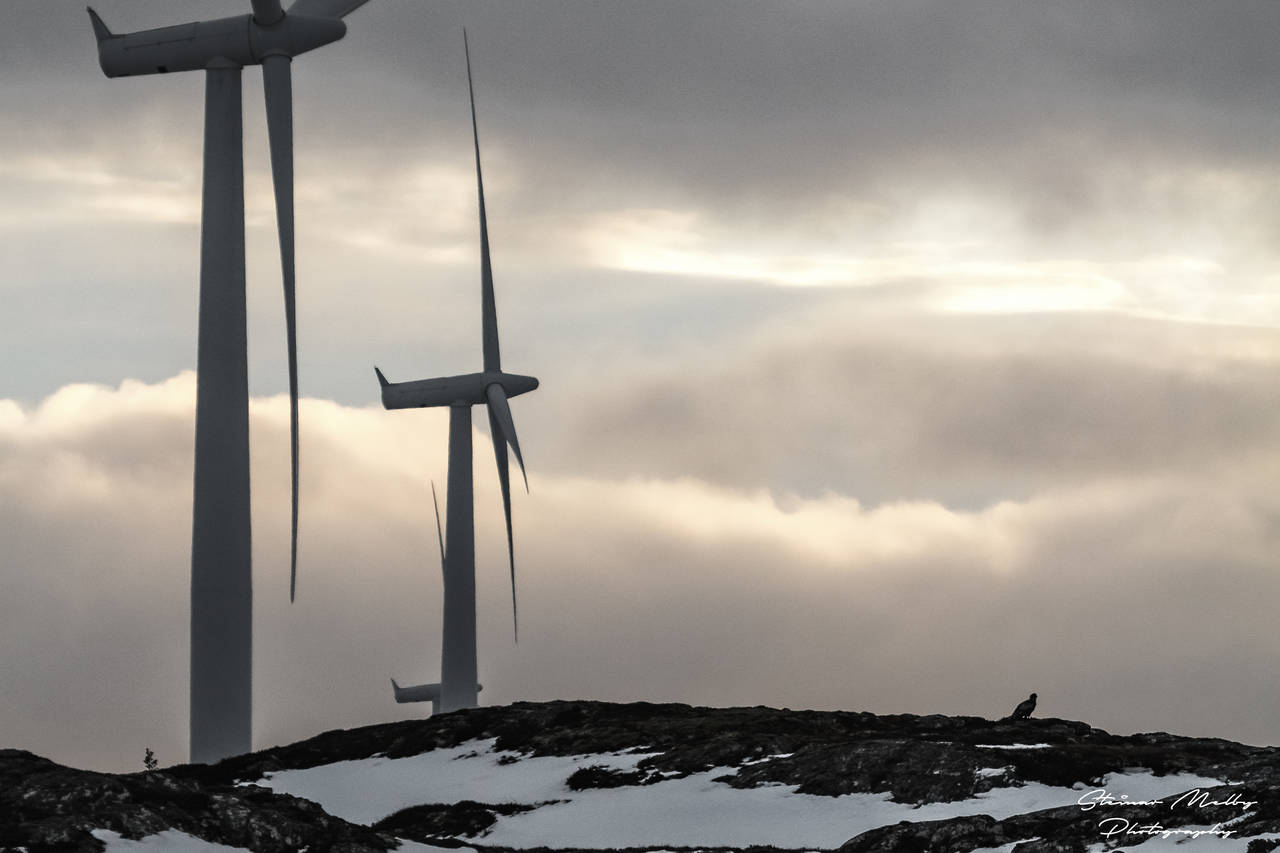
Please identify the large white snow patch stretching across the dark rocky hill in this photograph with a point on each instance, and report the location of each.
(694, 811)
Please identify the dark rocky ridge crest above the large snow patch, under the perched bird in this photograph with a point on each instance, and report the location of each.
(916, 759)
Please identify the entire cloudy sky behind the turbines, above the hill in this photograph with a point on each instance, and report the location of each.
(895, 357)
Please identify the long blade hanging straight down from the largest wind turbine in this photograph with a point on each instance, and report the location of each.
(278, 89)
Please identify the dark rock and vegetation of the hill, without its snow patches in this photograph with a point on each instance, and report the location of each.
(912, 759)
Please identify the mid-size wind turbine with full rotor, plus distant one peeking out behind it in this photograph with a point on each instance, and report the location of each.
(492, 387)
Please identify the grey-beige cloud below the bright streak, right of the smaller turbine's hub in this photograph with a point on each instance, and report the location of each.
(877, 404)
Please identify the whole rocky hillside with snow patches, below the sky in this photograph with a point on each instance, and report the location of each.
(589, 776)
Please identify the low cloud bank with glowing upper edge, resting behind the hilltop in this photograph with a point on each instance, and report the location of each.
(1112, 599)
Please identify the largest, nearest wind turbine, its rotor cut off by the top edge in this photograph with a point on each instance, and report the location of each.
(222, 600)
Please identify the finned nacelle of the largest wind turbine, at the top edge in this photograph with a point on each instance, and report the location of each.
(195, 47)
